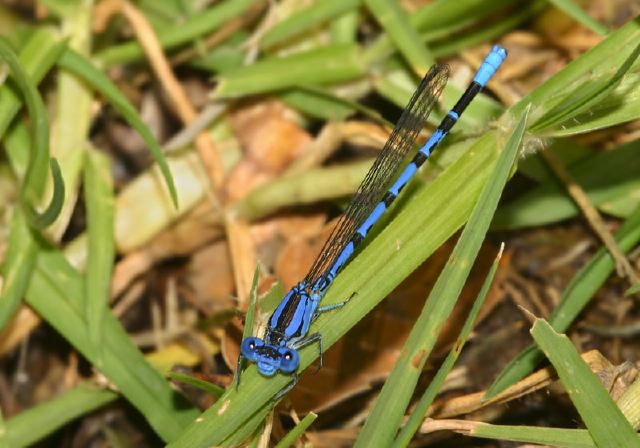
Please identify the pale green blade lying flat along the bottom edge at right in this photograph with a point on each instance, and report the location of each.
(557, 437)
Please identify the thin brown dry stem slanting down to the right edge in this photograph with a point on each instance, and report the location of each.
(623, 267)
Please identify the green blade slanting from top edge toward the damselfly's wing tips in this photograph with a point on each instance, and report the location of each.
(398, 27)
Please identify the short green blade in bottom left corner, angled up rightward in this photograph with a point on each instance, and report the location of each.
(28, 427)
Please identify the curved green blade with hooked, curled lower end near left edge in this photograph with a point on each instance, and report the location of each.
(36, 176)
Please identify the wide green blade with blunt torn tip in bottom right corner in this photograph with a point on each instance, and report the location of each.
(605, 421)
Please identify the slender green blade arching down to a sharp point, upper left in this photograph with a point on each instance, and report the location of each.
(84, 69)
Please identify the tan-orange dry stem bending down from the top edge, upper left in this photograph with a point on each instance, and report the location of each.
(160, 66)
